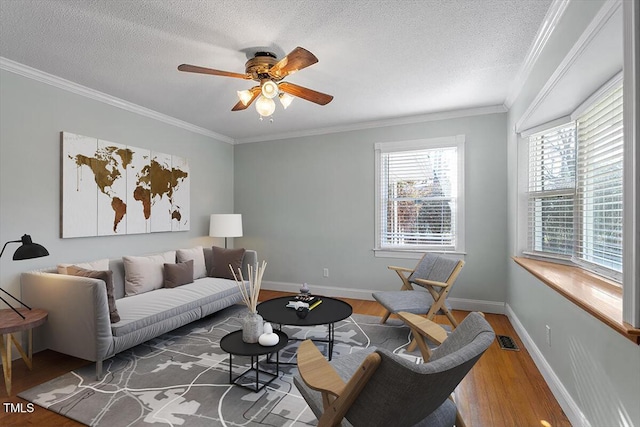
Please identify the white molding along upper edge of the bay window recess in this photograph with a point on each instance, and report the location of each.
(595, 26)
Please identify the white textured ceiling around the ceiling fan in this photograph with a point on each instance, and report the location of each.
(380, 59)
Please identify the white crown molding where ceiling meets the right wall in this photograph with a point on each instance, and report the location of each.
(551, 19)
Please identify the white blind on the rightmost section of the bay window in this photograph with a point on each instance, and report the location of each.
(599, 184)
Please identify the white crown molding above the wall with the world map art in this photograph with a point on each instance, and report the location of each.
(60, 83)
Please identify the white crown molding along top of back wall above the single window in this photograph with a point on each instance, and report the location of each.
(453, 114)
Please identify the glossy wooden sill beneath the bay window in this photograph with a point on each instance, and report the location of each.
(596, 295)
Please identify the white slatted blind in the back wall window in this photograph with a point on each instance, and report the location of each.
(418, 193)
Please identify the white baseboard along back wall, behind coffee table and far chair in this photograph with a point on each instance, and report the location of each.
(494, 307)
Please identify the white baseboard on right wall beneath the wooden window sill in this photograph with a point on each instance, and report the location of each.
(568, 405)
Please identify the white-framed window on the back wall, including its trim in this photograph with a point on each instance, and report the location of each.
(419, 195)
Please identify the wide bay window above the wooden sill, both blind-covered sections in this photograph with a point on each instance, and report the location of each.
(575, 187)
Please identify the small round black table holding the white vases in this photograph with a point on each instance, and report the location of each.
(232, 343)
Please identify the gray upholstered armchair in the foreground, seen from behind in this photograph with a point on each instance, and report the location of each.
(375, 387)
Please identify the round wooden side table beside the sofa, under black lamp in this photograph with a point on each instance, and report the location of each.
(11, 323)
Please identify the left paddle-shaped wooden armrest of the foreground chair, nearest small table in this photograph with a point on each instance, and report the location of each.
(316, 372)
